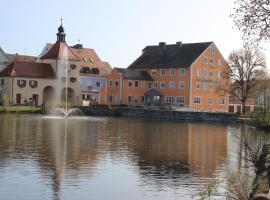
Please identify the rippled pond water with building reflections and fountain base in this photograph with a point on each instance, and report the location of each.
(112, 158)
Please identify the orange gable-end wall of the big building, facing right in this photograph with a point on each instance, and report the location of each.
(211, 87)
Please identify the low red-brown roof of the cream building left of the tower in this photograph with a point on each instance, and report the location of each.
(28, 69)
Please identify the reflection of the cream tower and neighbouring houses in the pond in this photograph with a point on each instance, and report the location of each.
(60, 151)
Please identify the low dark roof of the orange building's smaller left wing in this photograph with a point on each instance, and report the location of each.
(134, 74)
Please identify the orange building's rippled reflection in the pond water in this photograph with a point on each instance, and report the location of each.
(164, 147)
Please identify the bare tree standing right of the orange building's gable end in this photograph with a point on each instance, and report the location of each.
(247, 66)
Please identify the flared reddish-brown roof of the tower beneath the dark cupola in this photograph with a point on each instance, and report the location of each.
(58, 51)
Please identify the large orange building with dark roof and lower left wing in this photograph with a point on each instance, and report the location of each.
(184, 76)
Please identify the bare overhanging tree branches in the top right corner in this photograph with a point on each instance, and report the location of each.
(252, 17)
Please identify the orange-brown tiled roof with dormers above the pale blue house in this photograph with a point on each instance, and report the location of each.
(89, 58)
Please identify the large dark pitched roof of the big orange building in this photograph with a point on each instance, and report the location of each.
(173, 55)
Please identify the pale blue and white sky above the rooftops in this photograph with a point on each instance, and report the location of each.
(118, 30)
